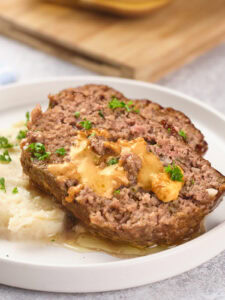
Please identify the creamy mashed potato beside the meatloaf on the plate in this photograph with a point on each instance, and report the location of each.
(27, 214)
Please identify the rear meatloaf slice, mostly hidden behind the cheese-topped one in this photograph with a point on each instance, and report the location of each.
(171, 119)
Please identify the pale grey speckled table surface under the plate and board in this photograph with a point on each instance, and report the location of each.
(204, 79)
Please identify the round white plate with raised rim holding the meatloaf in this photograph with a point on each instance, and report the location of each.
(50, 268)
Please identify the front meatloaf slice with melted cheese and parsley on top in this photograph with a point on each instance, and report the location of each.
(53, 158)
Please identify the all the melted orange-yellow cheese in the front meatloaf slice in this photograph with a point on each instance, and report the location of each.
(83, 166)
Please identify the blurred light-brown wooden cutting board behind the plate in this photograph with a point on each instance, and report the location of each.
(144, 48)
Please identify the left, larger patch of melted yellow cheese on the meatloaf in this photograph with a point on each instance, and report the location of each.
(83, 168)
